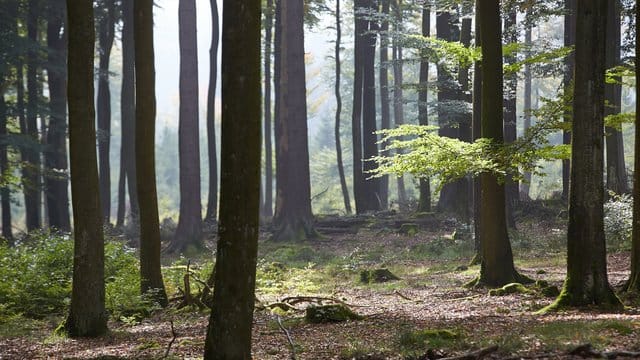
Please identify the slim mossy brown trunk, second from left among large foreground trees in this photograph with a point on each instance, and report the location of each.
(150, 274)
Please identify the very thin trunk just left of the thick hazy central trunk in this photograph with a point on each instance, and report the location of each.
(267, 208)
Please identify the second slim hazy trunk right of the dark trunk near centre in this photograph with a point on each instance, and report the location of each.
(398, 108)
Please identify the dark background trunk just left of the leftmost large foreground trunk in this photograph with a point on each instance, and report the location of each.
(55, 155)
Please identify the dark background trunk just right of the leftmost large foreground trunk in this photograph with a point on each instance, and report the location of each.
(105, 42)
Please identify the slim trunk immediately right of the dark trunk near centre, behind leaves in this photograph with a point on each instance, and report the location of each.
(383, 78)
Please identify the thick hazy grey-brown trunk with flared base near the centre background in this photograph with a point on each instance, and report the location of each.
(293, 219)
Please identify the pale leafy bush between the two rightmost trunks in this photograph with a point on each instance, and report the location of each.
(618, 221)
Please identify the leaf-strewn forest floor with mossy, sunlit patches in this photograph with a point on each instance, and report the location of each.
(426, 314)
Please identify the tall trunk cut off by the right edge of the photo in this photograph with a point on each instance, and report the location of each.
(633, 284)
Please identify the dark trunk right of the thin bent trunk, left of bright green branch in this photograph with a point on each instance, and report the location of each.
(366, 192)
